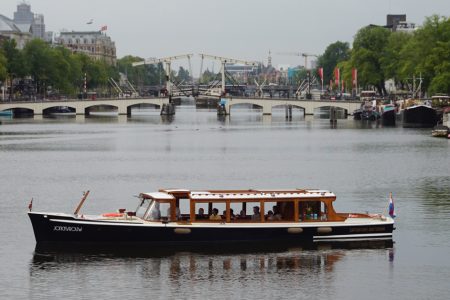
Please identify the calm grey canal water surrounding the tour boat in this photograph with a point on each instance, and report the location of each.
(54, 160)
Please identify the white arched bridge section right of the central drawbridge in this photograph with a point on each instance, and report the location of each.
(307, 105)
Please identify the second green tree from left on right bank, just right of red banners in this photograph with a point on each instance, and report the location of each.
(368, 48)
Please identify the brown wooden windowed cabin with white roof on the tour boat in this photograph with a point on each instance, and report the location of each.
(298, 205)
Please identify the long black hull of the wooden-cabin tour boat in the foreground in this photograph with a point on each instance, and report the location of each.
(59, 228)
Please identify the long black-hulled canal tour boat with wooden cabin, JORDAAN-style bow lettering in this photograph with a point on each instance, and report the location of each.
(268, 216)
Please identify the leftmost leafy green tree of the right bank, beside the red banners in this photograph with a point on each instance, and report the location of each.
(334, 54)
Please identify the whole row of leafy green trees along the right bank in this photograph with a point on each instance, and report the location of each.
(379, 54)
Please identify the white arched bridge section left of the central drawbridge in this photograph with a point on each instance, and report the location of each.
(82, 107)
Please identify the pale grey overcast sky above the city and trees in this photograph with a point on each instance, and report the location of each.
(245, 29)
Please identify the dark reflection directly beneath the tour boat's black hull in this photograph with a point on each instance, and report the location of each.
(281, 256)
